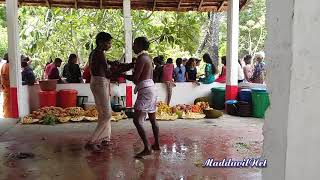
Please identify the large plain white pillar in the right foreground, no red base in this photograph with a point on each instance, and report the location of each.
(291, 130)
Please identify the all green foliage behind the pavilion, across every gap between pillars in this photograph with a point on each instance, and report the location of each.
(49, 33)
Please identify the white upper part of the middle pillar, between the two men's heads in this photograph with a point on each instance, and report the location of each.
(127, 30)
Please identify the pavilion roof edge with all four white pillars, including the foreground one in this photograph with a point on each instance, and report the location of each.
(291, 130)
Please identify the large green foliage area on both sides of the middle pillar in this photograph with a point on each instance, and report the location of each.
(49, 33)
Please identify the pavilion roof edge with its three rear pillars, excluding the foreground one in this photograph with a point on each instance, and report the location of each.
(232, 6)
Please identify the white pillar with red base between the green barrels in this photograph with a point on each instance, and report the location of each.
(232, 50)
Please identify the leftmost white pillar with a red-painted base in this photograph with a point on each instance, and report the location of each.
(14, 55)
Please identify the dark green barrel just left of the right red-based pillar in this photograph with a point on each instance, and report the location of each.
(218, 97)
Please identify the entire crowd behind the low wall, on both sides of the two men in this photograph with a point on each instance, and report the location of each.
(184, 70)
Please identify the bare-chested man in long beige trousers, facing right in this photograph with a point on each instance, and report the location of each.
(100, 87)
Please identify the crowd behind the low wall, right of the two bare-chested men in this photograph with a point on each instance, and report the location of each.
(186, 71)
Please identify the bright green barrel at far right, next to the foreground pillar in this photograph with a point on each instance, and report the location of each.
(260, 103)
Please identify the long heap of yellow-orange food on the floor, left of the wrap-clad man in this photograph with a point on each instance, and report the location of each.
(74, 114)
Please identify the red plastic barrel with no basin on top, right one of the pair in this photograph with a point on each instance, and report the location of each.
(68, 98)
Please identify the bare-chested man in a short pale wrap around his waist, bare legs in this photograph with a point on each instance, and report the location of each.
(146, 99)
